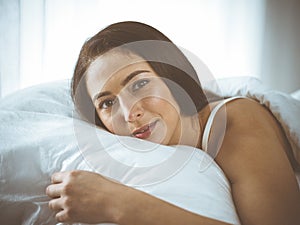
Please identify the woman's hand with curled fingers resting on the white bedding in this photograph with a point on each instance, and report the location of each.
(81, 196)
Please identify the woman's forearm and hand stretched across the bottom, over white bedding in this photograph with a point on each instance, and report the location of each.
(81, 196)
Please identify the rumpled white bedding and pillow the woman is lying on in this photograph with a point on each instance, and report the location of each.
(40, 134)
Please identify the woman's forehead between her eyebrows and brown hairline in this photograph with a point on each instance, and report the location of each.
(107, 67)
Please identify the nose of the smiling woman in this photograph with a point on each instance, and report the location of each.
(131, 109)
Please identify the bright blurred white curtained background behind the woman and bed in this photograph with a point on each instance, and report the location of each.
(41, 39)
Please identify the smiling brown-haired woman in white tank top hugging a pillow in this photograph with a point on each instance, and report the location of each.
(132, 80)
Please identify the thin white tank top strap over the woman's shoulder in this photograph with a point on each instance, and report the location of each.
(210, 121)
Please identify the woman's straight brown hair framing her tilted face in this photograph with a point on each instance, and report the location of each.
(165, 58)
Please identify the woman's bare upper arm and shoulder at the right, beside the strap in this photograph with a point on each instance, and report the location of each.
(253, 156)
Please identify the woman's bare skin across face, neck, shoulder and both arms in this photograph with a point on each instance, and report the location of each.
(253, 155)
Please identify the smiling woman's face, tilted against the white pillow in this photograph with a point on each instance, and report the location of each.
(132, 100)
